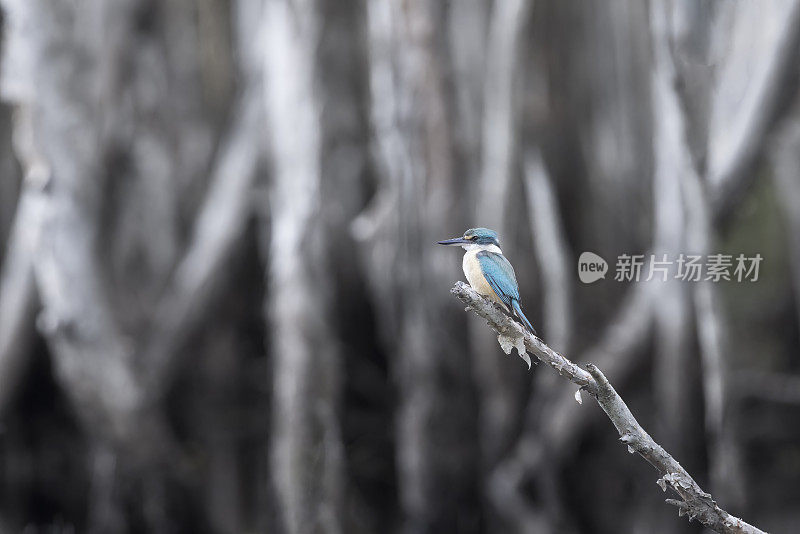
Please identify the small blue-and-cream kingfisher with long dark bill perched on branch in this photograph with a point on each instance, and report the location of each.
(488, 271)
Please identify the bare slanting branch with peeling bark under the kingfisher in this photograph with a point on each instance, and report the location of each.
(696, 503)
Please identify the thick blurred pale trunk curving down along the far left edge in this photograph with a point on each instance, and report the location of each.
(61, 141)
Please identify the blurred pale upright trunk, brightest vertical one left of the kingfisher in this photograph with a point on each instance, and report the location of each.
(306, 442)
